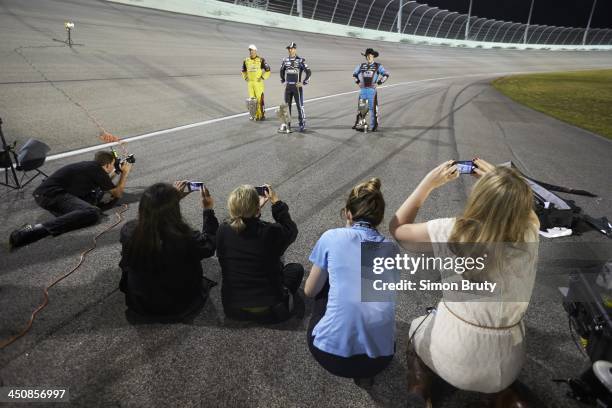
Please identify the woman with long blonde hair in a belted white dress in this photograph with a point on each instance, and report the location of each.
(474, 343)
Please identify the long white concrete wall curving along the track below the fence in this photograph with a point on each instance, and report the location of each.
(226, 11)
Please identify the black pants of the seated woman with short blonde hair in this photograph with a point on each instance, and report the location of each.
(293, 274)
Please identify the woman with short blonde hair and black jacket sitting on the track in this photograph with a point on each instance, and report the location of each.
(256, 284)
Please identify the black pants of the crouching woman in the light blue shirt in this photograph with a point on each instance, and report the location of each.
(357, 366)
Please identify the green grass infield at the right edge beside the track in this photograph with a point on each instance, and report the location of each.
(582, 98)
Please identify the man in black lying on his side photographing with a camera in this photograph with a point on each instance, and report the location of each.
(73, 194)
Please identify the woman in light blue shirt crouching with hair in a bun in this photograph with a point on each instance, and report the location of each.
(348, 337)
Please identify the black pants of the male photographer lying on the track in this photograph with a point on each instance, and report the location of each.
(71, 213)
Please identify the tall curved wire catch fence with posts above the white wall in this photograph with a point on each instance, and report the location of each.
(420, 19)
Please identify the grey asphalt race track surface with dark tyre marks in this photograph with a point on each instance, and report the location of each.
(139, 71)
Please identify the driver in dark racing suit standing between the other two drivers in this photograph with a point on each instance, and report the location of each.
(291, 72)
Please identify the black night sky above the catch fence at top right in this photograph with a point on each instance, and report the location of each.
(570, 13)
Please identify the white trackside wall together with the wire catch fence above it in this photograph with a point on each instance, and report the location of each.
(389, 20)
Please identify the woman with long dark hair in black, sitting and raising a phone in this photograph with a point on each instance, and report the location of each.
(161, 255)
